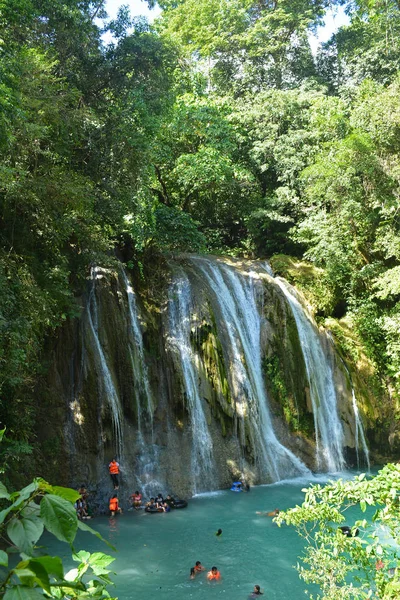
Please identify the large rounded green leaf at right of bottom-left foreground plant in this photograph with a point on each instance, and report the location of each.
(59, 517)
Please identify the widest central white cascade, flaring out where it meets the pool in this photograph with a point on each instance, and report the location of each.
(235, 298)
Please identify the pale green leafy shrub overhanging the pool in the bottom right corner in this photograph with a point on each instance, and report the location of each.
(364, 564)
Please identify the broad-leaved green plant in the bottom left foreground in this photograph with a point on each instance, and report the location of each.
(29, 512)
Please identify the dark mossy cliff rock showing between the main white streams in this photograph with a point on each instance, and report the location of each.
(98, 353)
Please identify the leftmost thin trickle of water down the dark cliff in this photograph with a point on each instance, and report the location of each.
(107, 388)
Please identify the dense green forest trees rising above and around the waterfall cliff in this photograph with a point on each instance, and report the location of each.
(215, 130)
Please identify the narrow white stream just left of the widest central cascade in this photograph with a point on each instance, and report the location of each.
(180, 308)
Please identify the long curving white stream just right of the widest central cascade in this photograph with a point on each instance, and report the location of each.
(328, 427)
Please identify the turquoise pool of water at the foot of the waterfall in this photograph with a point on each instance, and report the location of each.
(155, 551)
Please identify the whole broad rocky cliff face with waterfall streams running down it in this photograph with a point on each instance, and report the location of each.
(207, 385)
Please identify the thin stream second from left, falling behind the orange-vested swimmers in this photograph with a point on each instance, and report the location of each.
(147, 456)
